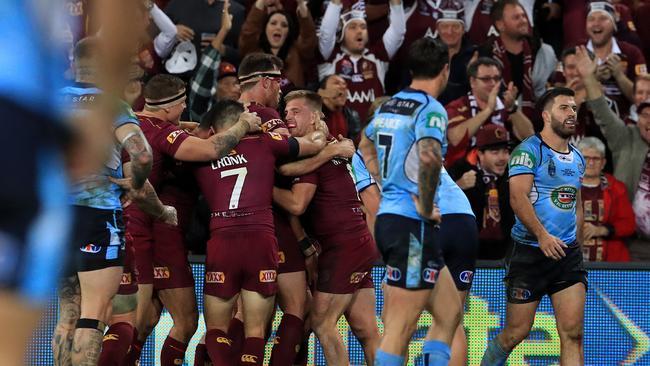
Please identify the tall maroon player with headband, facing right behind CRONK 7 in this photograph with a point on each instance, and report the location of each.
(259, 75)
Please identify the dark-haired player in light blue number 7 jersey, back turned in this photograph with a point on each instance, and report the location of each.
(403, 148)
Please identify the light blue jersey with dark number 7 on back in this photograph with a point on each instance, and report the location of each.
(398, 125)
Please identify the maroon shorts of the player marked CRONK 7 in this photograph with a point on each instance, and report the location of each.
(238, 260)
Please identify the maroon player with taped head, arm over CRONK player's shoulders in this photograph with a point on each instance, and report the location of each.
(161, 256)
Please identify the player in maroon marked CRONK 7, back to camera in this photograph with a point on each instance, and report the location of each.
(242, 254)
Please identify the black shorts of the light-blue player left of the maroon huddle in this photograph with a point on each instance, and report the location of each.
(98, 239)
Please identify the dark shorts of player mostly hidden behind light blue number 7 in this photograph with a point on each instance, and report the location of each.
(459, 244)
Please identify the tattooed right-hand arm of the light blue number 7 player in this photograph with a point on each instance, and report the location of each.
(430, 154)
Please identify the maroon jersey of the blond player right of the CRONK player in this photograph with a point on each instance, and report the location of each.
(335, 208)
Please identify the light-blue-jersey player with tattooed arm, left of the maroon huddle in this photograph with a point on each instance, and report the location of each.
(98, 236)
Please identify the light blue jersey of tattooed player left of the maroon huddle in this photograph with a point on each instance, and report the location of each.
(96, 190)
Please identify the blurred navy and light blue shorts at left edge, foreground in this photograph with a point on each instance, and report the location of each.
(34, 213)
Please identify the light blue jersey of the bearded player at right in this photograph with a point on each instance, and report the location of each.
(557, 181)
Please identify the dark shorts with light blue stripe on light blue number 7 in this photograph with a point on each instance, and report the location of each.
(411, 251)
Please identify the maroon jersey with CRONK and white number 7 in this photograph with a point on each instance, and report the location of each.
(239, 187)
